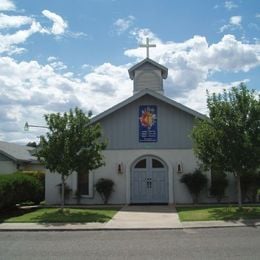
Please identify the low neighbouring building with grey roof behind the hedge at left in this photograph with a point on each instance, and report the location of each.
(14, 157)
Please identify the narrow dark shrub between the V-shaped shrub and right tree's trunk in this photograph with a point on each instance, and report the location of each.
(218, 186)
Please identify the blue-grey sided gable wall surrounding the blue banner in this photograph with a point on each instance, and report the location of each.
(122, 130)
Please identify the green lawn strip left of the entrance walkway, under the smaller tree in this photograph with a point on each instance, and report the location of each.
(54, 215)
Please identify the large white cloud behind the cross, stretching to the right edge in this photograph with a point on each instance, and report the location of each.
(197, 59)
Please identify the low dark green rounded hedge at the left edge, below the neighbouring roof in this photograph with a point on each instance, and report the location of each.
(17, 188)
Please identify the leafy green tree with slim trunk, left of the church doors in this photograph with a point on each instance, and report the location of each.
(71, 144)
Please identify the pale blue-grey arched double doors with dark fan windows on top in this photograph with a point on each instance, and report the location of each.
(149, 181)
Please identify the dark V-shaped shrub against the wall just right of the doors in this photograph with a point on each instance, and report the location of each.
(195, 182)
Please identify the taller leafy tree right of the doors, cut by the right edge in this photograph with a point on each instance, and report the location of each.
(230, 137)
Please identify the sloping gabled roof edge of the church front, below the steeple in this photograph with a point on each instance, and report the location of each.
(153, 94)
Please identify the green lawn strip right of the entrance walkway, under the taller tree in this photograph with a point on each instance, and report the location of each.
(217, 213)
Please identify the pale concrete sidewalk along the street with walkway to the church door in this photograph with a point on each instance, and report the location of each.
(131, 218)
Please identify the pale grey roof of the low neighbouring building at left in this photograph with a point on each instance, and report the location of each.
(17, 152)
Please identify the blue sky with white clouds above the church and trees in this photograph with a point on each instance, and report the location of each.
(56, 55)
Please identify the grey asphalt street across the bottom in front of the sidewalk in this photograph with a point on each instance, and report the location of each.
(213, 243)
